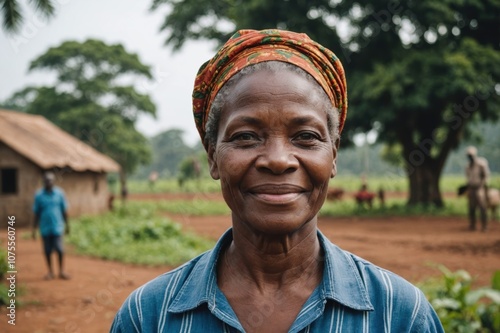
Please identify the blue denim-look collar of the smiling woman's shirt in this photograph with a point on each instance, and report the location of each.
(342, 280)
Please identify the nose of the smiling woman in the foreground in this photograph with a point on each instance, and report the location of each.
(277, 157)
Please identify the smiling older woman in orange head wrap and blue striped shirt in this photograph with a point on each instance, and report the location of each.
(269, 108)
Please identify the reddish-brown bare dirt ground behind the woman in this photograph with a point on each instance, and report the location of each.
(88, 302)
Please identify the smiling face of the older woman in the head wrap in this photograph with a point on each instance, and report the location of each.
(274, 154)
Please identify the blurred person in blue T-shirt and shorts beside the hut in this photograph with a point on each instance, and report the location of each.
(50, 208)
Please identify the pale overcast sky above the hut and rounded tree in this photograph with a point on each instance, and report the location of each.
(127, 22)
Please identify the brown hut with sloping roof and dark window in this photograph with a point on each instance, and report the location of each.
(31, 145)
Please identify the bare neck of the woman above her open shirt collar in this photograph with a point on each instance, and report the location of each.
(274, 262)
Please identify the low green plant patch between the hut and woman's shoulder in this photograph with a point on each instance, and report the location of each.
(135, 234)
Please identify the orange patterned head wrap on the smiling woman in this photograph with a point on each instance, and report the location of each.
(248, 47)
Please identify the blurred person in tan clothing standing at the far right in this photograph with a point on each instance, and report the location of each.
(477, 173)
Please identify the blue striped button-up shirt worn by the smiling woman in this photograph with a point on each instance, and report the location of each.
(354, 296)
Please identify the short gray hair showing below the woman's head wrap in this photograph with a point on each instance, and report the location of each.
(220, 99)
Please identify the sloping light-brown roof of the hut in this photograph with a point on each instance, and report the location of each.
(48, 146)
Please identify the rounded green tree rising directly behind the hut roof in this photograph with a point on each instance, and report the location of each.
(93, 98)
